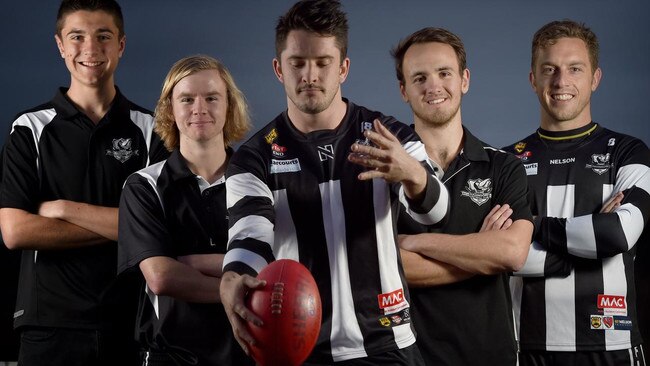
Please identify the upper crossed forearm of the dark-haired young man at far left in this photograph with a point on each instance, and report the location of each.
(99, 219)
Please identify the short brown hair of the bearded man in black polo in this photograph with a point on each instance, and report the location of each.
(427, 35)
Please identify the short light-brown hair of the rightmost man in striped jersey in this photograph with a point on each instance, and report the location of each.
(551, 32)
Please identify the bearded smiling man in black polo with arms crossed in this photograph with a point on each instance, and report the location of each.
(457, 274)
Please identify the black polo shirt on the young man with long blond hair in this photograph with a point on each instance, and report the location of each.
(166, 210)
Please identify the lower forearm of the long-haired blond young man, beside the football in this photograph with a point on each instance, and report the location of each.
(168, 277)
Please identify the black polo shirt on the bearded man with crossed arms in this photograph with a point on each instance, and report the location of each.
(470, 322)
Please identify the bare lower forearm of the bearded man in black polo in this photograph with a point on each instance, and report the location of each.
(486, 252)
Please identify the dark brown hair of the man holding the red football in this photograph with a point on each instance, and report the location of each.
(323, 17)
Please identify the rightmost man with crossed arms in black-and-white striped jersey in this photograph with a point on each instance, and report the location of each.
(578, 171)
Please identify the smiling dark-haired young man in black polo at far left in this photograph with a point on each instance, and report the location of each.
(65, 162)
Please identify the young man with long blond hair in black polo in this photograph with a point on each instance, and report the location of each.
(173, 220)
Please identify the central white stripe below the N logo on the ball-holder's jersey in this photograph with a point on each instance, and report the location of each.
(346, 338)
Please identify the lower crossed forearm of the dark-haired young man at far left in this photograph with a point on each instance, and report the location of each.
(23, 230)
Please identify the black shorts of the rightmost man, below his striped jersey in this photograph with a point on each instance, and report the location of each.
(627, 357)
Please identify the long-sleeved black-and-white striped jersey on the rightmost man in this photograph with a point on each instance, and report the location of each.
(592, 305)
